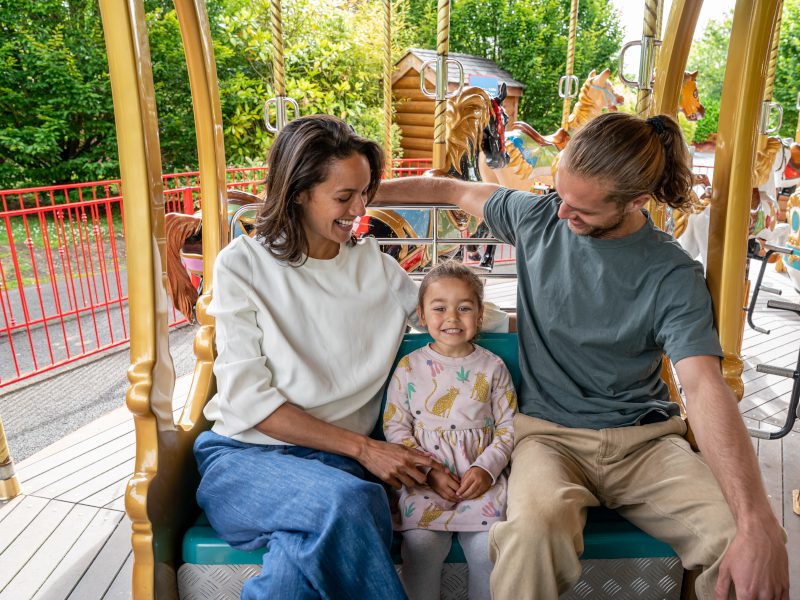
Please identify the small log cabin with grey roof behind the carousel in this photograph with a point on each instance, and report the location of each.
(414, 112)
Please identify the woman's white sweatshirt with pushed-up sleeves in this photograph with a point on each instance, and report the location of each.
(321, 336)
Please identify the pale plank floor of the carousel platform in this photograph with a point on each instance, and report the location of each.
(67, 534)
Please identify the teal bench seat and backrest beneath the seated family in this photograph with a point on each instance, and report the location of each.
(607, 535)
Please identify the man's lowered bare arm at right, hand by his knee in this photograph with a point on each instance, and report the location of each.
(756, 562)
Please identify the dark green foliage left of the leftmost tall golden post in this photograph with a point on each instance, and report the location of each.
(56, 114)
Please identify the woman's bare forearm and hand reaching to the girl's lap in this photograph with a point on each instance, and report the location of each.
(392, 463)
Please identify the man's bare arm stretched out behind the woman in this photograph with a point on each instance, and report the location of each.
(468, 196)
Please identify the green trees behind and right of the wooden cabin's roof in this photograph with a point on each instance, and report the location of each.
(527, 39)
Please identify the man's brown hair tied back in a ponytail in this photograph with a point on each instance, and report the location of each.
(634, 157)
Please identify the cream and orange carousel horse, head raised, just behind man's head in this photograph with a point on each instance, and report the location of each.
(532, 155)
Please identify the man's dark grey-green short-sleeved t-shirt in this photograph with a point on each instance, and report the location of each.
(596, 315)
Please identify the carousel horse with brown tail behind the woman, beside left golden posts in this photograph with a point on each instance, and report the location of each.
(185, 251)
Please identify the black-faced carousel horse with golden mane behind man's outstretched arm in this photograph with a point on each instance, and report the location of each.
(475, 125)
